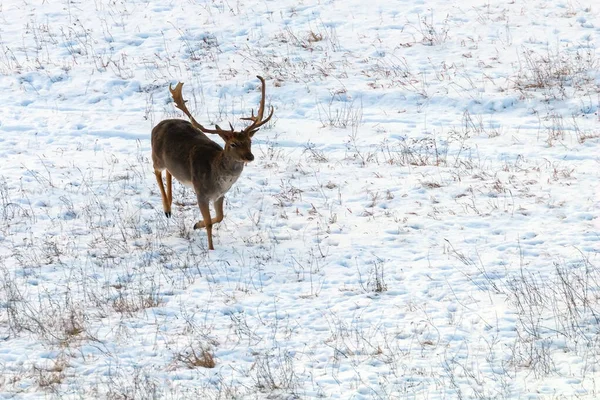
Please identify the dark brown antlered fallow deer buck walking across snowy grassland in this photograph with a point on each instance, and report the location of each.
(183, 150)
